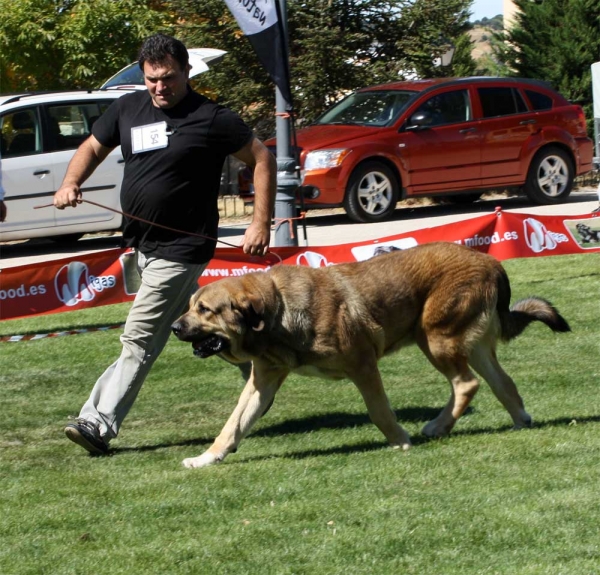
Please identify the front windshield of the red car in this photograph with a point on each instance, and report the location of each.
(370, 108)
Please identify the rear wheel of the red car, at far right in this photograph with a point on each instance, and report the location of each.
(550, 177)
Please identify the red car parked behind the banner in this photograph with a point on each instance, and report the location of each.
(442, 137)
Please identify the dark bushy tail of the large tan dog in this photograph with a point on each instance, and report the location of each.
(515, 319)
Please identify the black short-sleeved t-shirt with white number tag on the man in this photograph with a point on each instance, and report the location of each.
(177, 185)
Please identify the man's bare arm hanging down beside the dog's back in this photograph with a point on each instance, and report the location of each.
(256, 155)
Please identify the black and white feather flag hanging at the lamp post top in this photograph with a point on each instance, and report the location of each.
(260, 21)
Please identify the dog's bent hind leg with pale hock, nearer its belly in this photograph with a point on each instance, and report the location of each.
(454, 365)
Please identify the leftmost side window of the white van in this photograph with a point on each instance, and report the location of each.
(21, 135)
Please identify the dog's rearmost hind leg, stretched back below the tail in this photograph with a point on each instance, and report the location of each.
(484, 361)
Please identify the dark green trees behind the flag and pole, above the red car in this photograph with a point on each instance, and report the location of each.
(336, 46)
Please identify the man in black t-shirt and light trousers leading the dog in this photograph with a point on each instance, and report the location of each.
(174, 142)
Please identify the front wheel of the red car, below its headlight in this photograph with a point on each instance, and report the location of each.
(372, 193)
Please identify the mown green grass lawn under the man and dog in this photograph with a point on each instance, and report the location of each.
(313, 489)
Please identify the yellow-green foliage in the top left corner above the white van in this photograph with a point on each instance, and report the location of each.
(65, 44)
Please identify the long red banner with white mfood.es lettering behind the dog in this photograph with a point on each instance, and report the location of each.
(110, 276)
